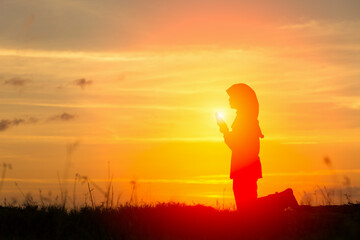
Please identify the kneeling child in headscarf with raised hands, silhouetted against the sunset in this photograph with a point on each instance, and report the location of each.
(244, 142)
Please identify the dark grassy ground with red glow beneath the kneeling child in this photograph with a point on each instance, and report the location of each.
(176, 221)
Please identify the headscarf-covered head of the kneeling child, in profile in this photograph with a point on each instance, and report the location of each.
(243, 99)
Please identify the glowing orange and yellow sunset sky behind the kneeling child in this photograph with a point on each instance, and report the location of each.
(135, 85)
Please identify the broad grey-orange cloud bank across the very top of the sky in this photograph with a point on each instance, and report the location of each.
(66, 31)
